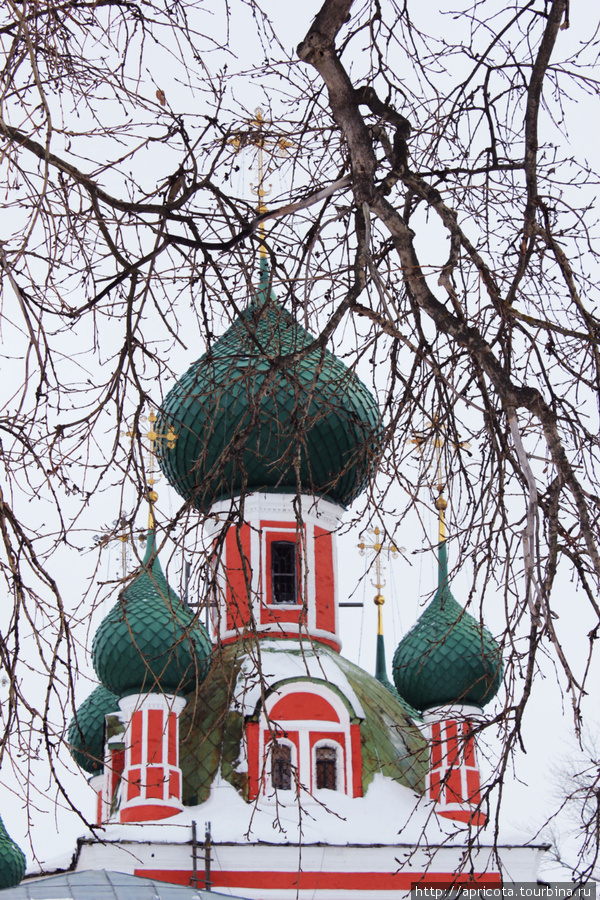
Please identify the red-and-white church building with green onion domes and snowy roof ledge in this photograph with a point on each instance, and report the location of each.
(256, 759)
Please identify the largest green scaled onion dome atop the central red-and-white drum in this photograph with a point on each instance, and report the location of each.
(246, 419)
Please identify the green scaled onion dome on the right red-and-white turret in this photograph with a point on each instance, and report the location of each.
(447, 657)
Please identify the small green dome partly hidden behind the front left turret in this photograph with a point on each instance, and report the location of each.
(86, 730)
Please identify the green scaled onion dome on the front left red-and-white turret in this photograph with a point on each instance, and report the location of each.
(150, 641)
